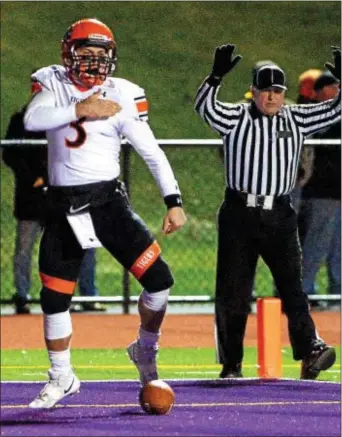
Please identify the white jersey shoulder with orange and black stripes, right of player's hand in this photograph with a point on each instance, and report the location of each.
(134, 96)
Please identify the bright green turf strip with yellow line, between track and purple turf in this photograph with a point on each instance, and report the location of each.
(103, 364)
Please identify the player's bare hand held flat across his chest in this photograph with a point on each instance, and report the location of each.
(95, 108)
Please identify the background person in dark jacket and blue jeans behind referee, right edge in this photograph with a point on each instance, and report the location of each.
(320, 211)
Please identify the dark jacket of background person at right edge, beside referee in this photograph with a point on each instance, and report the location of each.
(325, 181)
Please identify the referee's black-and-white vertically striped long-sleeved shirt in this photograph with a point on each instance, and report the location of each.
(262, 152)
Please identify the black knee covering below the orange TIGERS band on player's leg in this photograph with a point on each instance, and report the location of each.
(157, 277)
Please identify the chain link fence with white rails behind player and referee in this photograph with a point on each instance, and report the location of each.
(191, 252)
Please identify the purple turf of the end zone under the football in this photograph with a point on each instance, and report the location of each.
(112, 409)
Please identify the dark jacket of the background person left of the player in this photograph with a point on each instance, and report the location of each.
(29, 164)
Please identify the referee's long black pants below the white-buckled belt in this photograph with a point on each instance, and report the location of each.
(244, 233)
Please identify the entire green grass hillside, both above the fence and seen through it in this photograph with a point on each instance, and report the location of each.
(168, 50)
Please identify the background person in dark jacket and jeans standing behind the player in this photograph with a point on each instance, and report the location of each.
(29, 166)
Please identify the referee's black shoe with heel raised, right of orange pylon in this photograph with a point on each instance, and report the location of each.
(322, 357)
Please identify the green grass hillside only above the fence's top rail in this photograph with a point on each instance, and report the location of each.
(169, 48)
